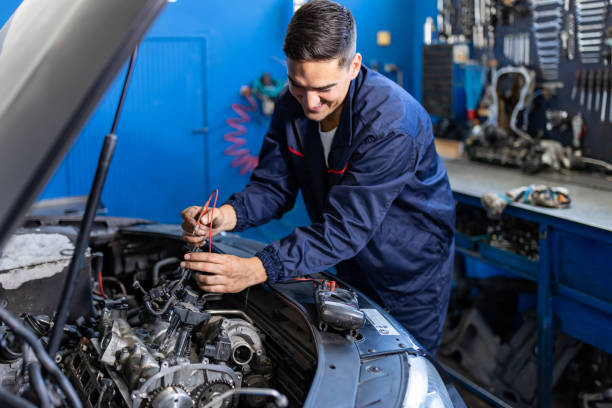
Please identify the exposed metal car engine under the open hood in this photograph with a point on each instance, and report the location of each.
(162, 343)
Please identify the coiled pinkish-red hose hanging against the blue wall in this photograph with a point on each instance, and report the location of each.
(242, 157)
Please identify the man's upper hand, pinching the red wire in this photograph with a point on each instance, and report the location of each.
(224, 219)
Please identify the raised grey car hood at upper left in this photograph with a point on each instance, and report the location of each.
(56, 61)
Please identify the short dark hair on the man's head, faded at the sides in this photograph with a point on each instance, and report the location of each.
(321, 30)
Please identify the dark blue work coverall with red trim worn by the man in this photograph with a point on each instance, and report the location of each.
(382, 212)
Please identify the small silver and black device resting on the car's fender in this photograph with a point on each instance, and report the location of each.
(337, 308)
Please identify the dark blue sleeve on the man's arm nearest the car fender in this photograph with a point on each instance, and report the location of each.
(377, 172)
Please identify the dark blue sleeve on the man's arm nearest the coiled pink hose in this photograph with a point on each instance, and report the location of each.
(272, 188)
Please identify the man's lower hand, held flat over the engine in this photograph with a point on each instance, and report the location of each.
(228, 273)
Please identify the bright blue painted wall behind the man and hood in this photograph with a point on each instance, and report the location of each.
(189, 71)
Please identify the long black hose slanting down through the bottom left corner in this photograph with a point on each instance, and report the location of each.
(26, 334)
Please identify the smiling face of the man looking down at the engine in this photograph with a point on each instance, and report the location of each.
(321, 86)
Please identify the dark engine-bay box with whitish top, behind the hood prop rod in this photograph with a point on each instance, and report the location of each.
(33, 269)
